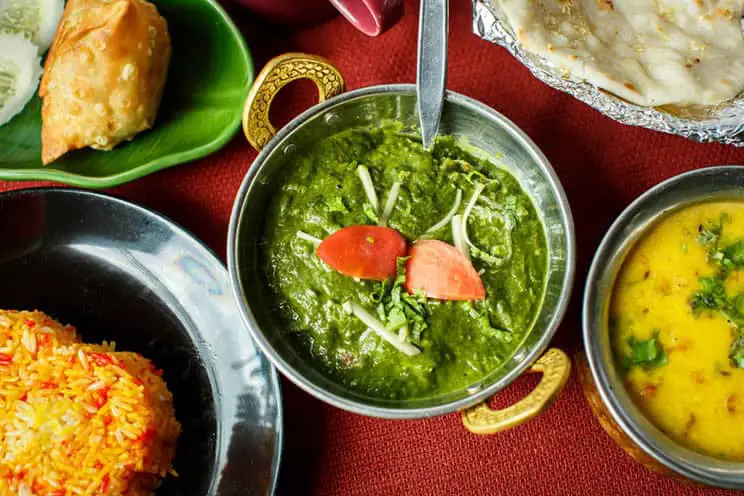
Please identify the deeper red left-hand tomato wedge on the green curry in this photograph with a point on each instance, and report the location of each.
(366, 252)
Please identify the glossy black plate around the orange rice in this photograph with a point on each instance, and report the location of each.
(119, 272)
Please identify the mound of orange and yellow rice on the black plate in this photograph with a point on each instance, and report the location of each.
(79, 419)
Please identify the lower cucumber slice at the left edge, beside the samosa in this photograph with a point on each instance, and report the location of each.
(20, 70)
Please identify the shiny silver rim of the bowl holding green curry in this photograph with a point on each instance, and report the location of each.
(356, 406)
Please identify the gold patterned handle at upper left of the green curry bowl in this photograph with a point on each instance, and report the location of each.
(277, 73)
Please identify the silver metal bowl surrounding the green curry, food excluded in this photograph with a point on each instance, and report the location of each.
(486, 131)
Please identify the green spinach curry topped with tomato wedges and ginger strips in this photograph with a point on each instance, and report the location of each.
(402, 273)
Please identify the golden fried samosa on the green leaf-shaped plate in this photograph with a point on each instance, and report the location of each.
(104, 76)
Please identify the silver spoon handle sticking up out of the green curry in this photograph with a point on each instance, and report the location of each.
(431, 70)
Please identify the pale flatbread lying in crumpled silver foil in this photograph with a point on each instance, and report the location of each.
(649, 52)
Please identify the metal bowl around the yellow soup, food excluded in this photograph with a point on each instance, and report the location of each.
(702, 185)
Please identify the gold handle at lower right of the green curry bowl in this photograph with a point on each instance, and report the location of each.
(555, 367)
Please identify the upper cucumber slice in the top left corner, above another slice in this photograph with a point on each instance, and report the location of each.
(37, 20)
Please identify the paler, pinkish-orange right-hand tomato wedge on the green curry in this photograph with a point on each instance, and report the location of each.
(441, 271)
